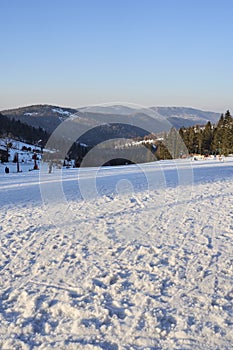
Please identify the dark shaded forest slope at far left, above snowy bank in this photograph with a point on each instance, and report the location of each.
(21, 131)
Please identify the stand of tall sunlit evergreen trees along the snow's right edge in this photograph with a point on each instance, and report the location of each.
(211, 139)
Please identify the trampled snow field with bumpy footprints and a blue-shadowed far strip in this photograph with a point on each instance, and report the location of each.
(134, 257)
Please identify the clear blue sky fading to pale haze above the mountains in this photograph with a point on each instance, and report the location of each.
(150, 52)
